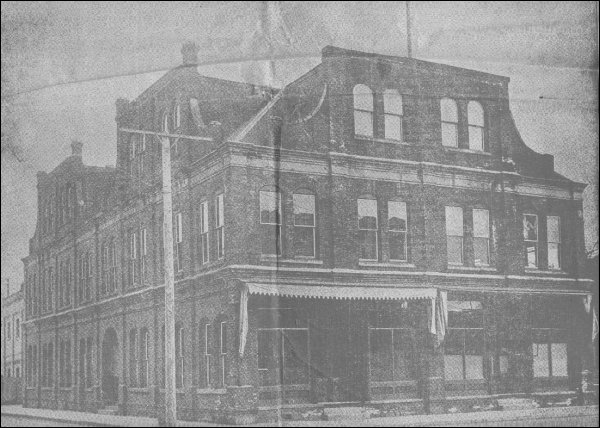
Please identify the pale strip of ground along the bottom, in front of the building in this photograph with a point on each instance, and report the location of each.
(559, 416)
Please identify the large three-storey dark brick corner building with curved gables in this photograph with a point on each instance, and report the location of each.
(375, 232)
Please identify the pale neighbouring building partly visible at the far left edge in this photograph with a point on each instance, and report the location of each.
(13, 311)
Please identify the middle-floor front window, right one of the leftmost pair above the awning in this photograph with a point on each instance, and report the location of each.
(304, 225)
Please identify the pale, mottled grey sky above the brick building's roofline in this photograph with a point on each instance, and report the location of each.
(64, 64)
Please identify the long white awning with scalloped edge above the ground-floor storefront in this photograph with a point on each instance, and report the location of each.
(341, 292)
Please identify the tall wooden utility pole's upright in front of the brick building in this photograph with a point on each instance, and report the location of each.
(170, 387)
